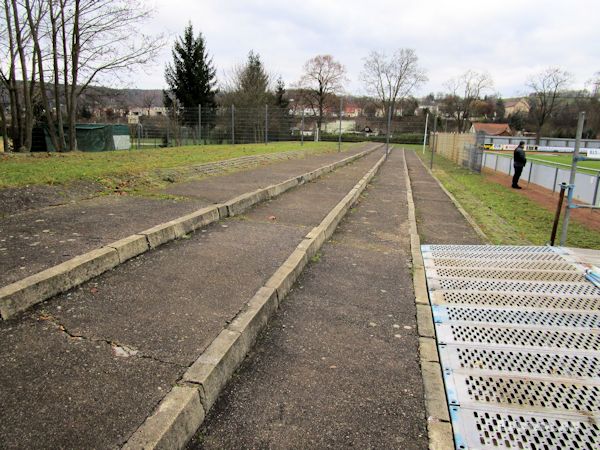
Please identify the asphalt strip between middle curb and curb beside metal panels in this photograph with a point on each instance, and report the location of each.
(338, 366)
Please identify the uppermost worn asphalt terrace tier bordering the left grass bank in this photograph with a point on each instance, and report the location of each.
(35, 240)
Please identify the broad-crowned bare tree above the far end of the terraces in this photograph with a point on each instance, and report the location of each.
(392, 78)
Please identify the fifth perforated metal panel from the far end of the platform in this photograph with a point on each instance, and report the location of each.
(507, 299)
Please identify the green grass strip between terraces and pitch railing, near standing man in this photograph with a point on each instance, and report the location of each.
(505, 216)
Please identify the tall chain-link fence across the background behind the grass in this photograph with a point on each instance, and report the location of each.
(162, 127)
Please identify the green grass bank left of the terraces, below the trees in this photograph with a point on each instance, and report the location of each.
(110, 168)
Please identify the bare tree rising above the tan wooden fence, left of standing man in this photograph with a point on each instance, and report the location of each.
(464, 92)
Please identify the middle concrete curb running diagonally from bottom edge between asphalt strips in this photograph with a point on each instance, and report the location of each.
(211, 372)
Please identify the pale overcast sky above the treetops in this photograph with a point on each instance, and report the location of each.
(511, 39)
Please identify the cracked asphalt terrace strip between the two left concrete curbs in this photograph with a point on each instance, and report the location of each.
(84, 369)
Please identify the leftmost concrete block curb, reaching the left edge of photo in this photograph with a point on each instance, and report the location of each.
(22, 294)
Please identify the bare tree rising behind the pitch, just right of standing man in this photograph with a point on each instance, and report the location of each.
(546, 87)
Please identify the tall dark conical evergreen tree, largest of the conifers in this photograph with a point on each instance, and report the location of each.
(191, 77)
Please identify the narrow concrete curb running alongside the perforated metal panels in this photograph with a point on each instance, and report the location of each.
(439, 429)
